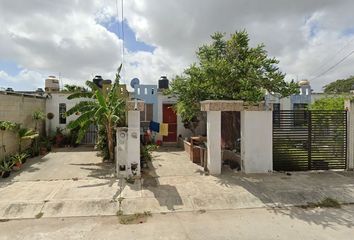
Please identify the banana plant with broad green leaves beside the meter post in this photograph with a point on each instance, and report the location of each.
(105, 110)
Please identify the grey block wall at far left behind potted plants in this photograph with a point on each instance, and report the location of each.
(18, 108)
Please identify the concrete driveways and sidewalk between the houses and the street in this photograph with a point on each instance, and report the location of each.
(76, 183)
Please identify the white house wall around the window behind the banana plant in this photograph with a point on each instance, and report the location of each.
(52, 106)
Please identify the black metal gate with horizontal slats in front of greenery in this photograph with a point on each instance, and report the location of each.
(309, 140)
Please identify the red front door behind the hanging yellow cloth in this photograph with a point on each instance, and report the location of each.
(170, 117)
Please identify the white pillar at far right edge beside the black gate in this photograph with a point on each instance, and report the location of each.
(349, 105)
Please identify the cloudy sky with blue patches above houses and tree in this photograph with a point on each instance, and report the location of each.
(78, 39)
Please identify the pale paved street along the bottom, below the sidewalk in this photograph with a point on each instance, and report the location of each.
(243, 224)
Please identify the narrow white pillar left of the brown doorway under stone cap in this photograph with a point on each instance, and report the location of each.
(214, 141)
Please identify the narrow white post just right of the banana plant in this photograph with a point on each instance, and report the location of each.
(133, 148)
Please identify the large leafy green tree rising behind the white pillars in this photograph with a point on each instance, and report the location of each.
(228, 69)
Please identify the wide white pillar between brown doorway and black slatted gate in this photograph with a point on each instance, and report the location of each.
(256, 141)
